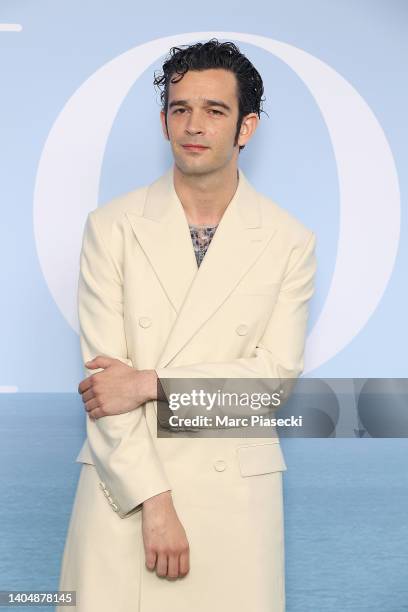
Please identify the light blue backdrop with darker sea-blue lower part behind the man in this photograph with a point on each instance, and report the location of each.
(292, 159)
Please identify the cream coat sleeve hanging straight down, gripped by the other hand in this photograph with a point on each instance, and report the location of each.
(122, 446)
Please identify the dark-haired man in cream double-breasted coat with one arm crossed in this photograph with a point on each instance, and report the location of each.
(176, 523)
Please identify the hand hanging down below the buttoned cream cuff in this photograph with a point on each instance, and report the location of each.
(165, 541)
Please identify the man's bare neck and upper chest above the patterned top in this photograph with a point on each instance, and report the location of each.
(206, 197)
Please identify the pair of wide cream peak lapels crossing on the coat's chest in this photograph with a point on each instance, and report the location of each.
(196, 293)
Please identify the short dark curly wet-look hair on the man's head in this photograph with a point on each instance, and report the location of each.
(214, 54)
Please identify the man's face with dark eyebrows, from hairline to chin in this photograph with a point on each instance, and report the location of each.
(202, 110)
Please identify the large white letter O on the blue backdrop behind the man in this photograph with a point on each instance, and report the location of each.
(69, 171)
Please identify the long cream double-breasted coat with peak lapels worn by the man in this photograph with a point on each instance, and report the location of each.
(242, 313)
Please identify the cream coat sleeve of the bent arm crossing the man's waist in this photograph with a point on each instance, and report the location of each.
(279, 353)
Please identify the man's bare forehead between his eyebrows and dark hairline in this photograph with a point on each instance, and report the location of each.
(214, 83)
